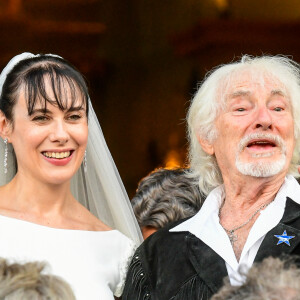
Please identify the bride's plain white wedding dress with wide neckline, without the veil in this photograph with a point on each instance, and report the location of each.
(94, 263)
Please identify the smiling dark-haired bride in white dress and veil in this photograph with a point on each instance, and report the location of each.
(53, 152)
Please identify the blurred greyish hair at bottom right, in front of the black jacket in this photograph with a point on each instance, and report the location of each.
(272, 279)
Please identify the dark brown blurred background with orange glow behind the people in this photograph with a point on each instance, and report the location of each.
(143, 59)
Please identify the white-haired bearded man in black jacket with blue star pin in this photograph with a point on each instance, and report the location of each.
(244, 126)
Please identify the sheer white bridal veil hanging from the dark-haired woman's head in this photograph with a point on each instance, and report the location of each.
(100, 188)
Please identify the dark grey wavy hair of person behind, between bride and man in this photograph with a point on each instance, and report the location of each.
(165, 196)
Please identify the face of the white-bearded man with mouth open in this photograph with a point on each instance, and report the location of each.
(255, 129)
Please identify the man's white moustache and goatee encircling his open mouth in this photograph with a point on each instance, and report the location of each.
(261, 168)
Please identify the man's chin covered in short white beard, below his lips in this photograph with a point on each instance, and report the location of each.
(261, 168)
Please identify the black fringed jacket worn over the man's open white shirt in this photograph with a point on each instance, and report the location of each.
(179, 266)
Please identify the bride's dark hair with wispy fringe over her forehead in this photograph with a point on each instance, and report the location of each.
(32, 73)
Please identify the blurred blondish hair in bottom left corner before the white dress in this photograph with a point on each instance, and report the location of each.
(29, 282)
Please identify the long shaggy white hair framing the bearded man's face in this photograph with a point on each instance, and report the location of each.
(209, 101)
